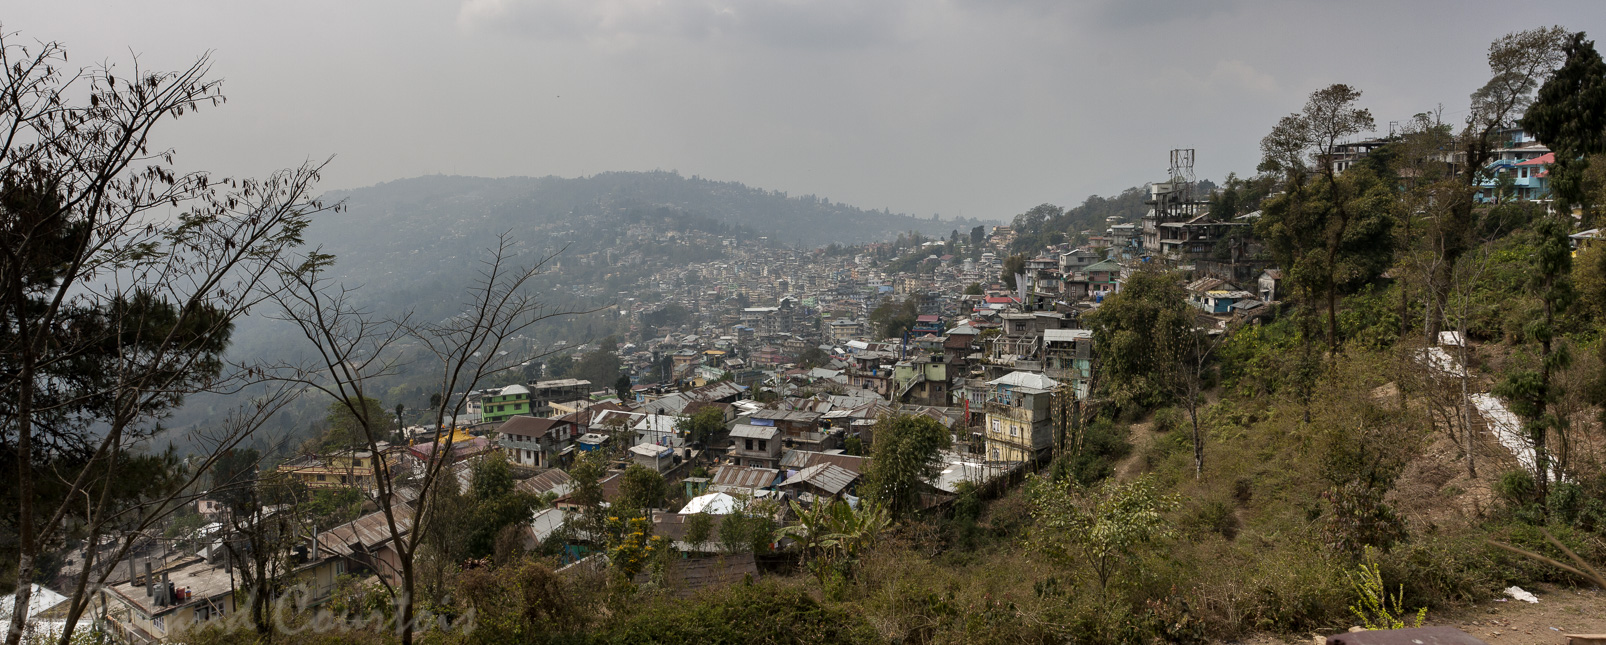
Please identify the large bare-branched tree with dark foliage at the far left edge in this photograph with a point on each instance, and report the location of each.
(120, 285)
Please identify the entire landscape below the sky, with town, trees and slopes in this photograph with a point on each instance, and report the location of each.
(1358, 397)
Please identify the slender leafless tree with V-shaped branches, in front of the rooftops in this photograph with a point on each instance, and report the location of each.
(354, 347)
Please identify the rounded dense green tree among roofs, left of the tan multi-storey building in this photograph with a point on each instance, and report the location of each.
(905, 455)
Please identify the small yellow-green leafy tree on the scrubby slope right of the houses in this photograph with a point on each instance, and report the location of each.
(1104, 529)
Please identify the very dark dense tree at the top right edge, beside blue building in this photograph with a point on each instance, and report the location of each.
(1570, 116)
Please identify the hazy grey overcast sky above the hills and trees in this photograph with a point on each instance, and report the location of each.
(950, 107)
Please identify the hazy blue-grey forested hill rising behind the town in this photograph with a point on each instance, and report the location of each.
(415, 245)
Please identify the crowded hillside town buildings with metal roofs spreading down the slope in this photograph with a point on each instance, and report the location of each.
(762, 397)
